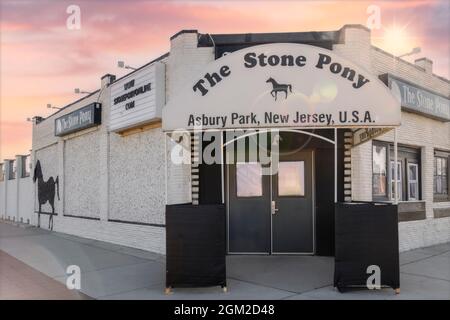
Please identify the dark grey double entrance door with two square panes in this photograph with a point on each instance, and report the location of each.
(271, 213)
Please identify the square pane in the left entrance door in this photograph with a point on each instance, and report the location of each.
(248, 179)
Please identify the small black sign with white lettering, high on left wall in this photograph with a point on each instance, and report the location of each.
(80, 119)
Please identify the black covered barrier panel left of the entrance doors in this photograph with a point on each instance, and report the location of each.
(195, 245)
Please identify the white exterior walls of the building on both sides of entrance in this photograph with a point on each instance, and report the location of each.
(184, 62)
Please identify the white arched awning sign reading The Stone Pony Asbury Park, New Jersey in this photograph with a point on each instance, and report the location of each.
(282, 85)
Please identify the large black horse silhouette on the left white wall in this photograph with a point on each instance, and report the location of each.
(46, 192)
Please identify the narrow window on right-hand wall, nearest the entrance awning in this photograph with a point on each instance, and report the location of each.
(379, 171)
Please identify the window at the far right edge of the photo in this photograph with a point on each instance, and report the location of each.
(441, 173)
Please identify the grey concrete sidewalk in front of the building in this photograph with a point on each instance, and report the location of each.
(111, 271)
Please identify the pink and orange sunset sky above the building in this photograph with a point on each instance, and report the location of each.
(41, 61)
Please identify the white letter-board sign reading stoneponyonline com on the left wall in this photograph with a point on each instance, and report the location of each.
(138, 98)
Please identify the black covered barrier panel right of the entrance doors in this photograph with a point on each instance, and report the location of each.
(366, 234)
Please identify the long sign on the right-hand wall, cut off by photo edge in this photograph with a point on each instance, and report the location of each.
(419, 100)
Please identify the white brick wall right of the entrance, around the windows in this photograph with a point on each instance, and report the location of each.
(418, 131)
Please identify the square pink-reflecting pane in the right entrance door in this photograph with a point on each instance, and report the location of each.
(291, 178)
